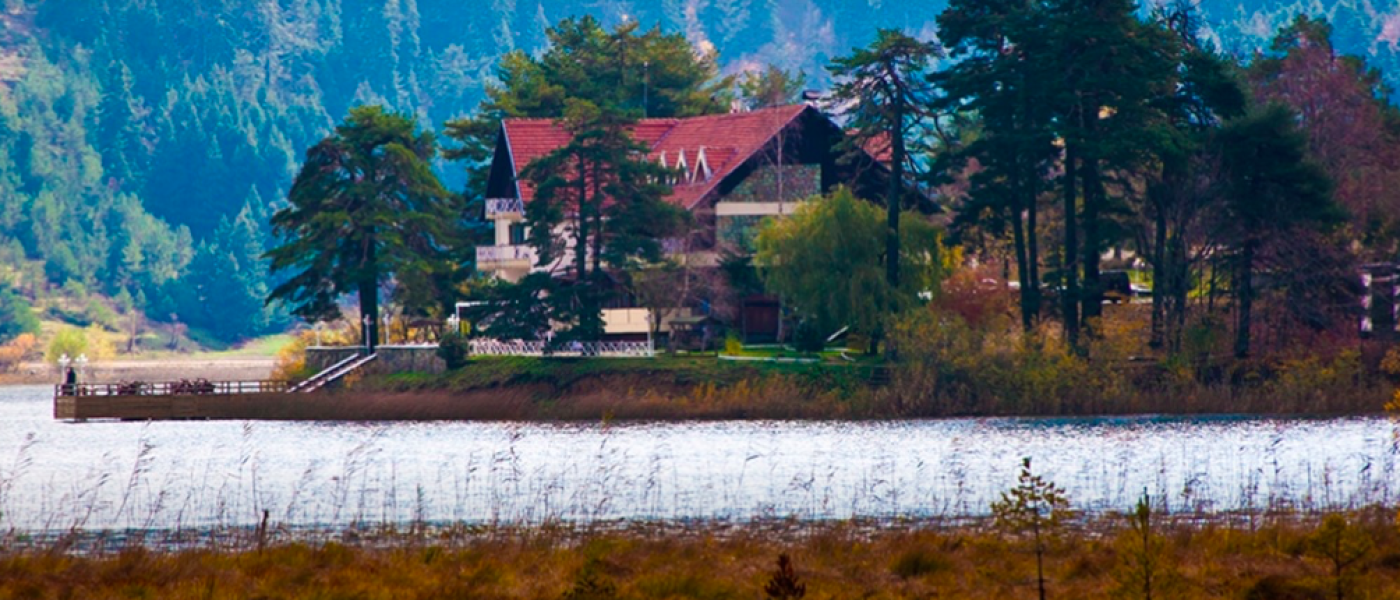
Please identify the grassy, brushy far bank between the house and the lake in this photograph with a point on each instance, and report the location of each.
(1013, 384)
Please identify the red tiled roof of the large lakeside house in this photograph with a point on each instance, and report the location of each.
(729, 142)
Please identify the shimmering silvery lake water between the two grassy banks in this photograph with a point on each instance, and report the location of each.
(176, 475)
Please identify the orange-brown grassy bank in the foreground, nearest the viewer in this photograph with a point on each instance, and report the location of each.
(1284, 559)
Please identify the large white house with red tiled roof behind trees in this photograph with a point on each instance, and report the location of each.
(733, 171)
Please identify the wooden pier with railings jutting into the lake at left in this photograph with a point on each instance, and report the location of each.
(160, 401)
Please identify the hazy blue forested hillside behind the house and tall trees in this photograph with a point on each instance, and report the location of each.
(146, 143)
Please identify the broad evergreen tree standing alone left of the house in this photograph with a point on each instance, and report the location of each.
(365, 205)
